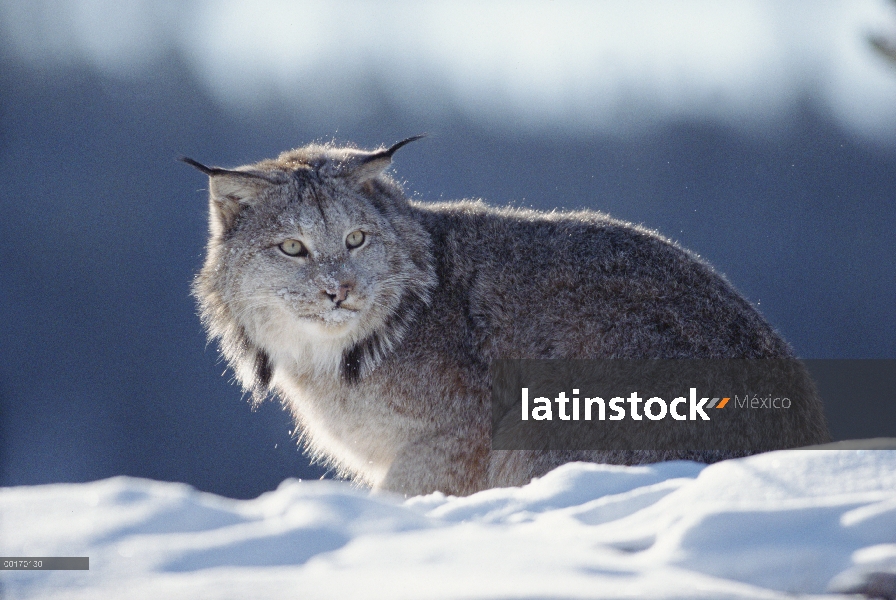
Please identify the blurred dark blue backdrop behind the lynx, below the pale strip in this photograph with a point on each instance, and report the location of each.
(104, 367)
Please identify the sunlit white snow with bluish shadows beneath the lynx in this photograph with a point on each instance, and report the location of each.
(768, 526)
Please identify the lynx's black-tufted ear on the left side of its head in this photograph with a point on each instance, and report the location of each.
(229, 192)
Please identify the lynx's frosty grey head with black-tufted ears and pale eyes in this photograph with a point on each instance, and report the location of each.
(314, 263)
